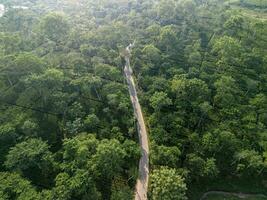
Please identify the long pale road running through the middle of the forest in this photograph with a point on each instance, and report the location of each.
(142, 181)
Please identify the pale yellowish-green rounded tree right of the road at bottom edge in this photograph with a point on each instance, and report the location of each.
(167, 184)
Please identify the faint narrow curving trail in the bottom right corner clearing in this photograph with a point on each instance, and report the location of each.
(236, 194)
